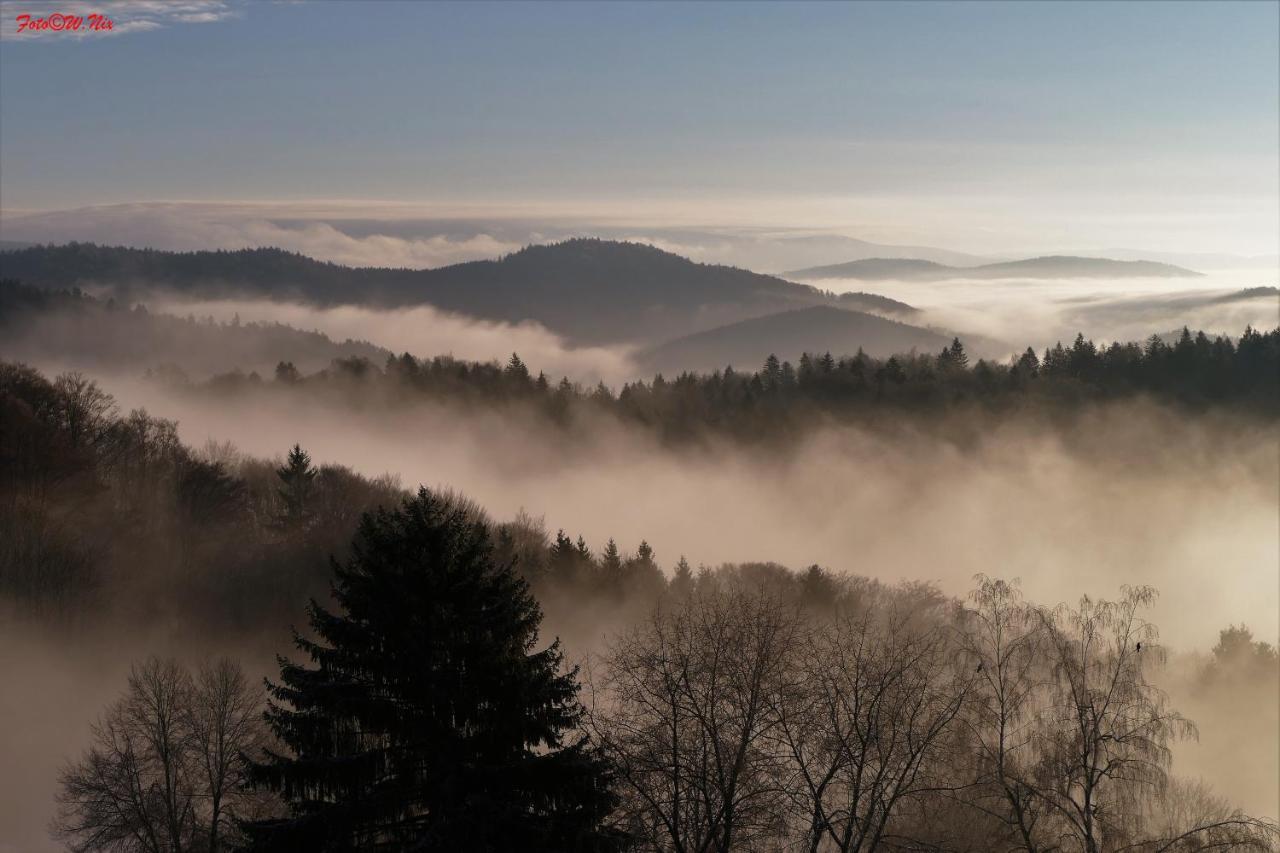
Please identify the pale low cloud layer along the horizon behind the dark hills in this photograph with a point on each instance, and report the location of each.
(424, 236)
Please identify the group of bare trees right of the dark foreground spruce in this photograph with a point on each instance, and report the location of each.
(742, 718)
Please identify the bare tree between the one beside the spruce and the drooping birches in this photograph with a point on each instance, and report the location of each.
(866, 722)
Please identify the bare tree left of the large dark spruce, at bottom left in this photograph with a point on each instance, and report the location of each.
(164, 764)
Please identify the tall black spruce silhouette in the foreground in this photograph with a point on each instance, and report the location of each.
(427, 720)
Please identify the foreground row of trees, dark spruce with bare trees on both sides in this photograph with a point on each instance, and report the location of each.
(752, 710)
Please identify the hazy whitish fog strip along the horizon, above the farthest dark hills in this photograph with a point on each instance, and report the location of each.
(760, 235)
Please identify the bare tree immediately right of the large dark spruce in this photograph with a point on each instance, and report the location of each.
(687, 715)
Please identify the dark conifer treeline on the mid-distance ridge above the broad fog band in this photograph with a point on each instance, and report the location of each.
(781, 399)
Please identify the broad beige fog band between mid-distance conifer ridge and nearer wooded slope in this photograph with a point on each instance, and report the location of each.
(1127, 495)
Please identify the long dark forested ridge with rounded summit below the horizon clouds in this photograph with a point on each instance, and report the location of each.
(591, 291)
